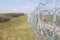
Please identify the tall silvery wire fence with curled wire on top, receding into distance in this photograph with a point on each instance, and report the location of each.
(45, 21)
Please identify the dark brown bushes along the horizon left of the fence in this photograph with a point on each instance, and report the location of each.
(9, 16)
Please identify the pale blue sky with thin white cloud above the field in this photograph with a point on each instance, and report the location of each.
(19, 5)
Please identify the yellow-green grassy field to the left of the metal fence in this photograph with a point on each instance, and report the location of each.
(16, 29)
